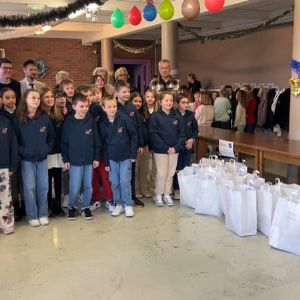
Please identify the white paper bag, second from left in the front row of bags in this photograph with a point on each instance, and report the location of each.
(208, 197)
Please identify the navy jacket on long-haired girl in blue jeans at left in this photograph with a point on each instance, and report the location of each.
(35, 137)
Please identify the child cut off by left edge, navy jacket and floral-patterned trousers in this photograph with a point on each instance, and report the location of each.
(8, 164)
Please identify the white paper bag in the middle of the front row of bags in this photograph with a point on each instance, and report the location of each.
(241, 216)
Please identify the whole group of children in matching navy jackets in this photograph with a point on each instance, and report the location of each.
(81, 137)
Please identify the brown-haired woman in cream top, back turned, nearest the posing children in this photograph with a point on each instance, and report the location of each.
(205, 113)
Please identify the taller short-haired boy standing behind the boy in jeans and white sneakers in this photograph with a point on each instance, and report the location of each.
(122, 90)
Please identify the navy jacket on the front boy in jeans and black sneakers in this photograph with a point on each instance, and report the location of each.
(80, 142)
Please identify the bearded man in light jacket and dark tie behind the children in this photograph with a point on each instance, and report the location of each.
(30, 82)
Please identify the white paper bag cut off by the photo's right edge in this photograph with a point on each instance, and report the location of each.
(285, 228)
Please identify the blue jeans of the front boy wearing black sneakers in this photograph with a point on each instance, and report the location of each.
(79, 175)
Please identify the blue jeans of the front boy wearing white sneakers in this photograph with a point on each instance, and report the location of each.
(120, 177)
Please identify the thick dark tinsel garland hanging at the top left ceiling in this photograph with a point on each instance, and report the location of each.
(54, 15)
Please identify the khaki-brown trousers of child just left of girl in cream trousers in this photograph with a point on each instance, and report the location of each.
(141, 173)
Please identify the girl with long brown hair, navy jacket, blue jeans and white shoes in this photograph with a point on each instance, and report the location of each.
(36, 136)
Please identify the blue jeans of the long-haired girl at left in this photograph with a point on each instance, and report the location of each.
(35, 186)
